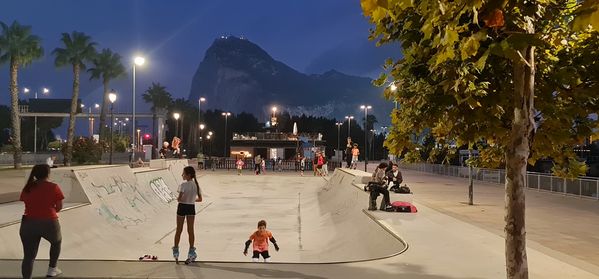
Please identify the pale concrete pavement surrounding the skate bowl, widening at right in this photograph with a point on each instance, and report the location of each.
(447, 239)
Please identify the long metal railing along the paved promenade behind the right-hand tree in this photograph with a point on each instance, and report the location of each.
(584, 187)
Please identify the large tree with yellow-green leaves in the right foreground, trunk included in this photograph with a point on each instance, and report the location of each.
(471, 72)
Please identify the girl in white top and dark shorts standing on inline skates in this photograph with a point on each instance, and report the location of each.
(189, 194)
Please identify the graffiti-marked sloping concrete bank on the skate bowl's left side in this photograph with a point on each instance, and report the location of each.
(125, 213)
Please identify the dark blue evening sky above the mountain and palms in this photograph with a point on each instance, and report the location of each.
(311, 36)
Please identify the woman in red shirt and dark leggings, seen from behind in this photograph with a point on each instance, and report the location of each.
(43, 200)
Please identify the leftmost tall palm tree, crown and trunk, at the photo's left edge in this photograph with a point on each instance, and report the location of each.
(19, 48)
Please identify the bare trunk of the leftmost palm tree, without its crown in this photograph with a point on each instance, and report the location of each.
(15, 115)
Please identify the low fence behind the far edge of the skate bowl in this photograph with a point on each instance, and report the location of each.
(270, 165)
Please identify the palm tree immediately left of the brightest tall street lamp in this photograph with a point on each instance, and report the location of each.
(107, 66)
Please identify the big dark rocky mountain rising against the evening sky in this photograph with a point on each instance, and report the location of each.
(237, 75)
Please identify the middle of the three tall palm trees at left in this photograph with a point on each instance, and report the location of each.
(78, 50)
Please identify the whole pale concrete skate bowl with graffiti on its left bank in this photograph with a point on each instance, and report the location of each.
(132, 213)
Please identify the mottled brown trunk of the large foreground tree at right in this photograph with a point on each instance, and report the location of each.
(517, 154)
